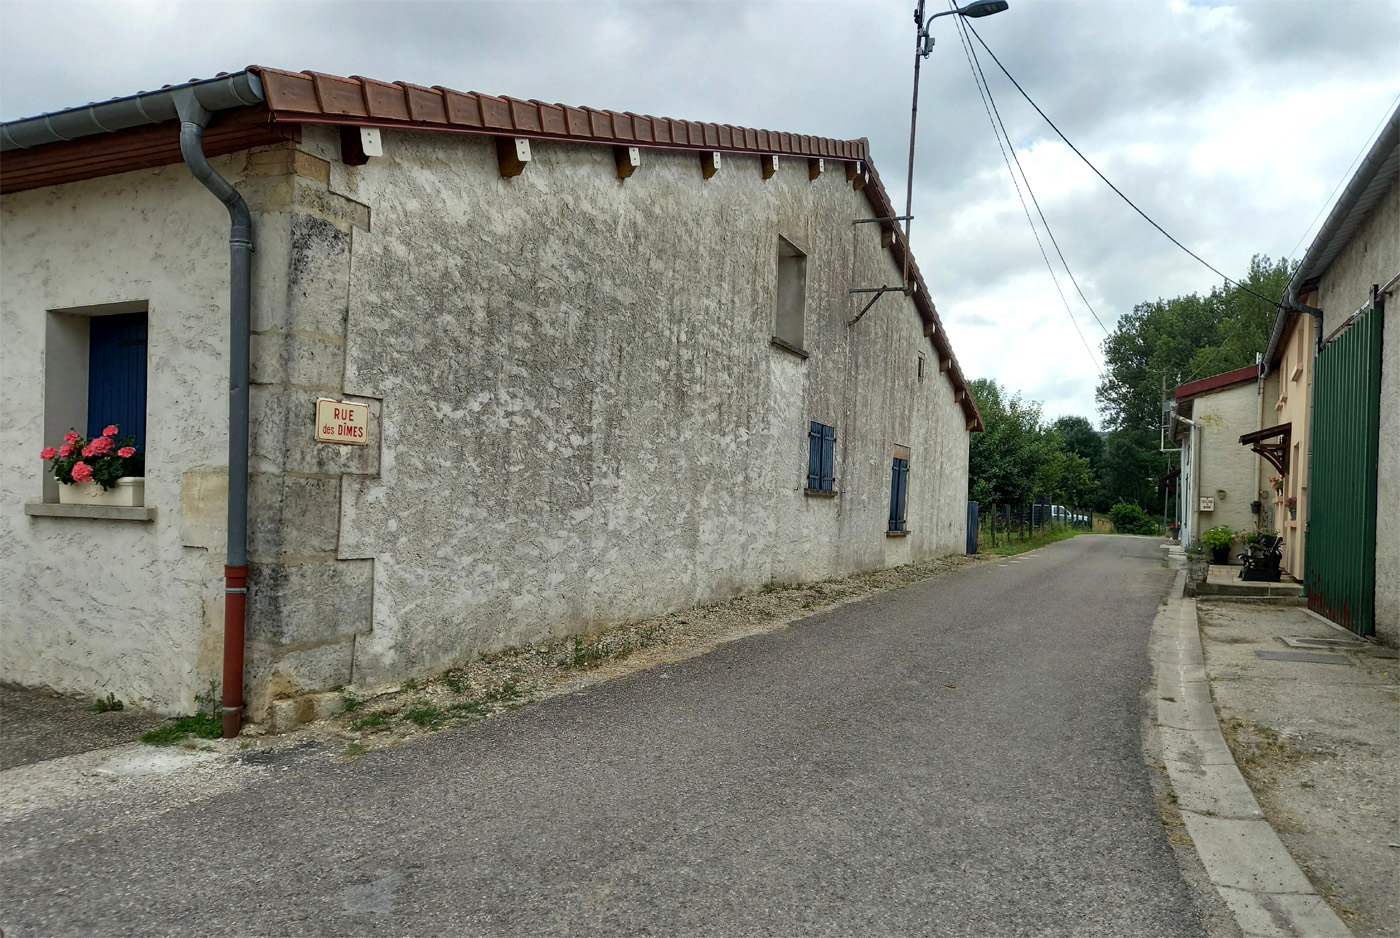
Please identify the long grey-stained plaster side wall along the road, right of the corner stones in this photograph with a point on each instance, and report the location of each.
(583, 418)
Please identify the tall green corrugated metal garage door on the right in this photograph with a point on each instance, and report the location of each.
(1342, 509)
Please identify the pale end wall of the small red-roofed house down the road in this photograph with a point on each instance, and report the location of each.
(1226, 470)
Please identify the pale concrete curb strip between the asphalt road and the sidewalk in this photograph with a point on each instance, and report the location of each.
(1244, 859)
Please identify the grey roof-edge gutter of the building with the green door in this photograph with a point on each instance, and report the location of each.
(1373, 180)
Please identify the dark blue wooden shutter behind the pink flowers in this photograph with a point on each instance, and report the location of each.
(117, 376)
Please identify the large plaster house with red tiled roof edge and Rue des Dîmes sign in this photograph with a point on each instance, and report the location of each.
(593, 367)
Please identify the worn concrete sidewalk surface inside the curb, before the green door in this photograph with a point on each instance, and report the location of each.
(1317, 734)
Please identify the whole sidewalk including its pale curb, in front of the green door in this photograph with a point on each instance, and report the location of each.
(1314, 730)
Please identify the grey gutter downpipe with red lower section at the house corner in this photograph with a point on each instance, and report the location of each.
(194, 120)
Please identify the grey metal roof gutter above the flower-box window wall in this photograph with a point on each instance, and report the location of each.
(226, 92)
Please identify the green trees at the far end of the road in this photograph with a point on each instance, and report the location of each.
(1161, 344)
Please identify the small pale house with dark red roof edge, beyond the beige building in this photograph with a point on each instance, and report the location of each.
(1219, 481)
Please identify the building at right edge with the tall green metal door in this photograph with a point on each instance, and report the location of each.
(1343, 442)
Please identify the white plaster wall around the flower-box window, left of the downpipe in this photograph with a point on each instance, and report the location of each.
(117, 607)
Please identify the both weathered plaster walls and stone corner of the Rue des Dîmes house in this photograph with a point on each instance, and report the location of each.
(583, 421)
